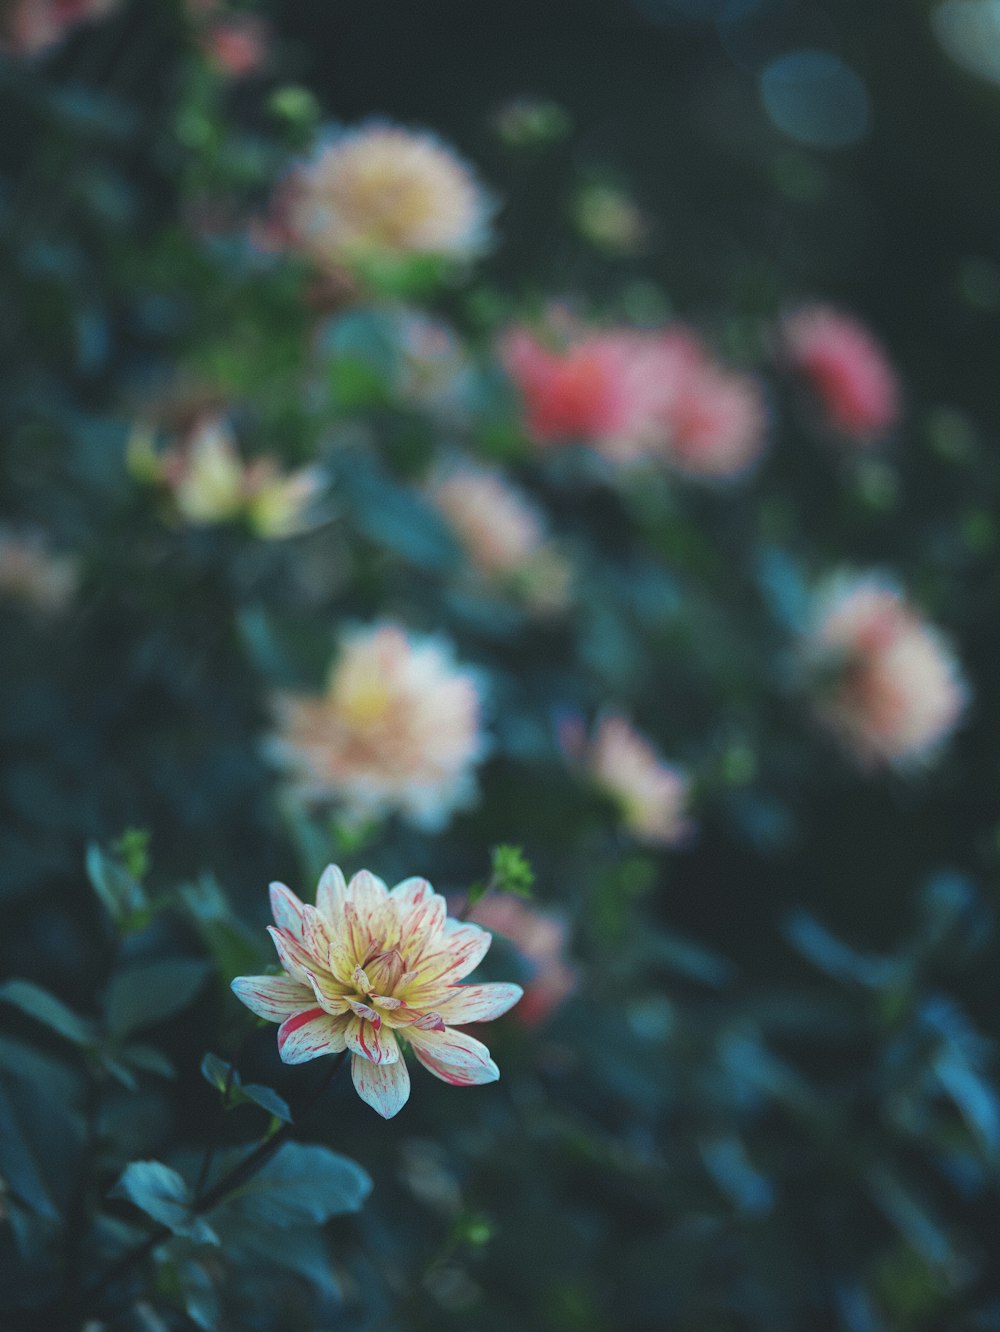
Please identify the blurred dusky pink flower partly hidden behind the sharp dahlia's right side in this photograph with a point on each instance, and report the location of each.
(540, 937)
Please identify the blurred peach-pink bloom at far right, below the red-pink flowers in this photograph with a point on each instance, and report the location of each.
(886, 683)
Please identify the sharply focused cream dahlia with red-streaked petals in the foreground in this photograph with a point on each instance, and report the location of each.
(375, 970)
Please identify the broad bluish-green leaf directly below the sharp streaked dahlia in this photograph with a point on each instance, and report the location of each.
(300, 1185)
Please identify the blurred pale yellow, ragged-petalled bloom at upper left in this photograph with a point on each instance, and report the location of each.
(211, 484)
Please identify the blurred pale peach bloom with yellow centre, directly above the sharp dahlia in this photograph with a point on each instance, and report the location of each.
(397, 729)
